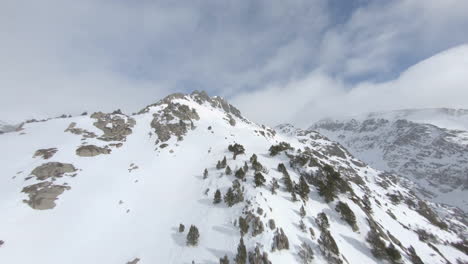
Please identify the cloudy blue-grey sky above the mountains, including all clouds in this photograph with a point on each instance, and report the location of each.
(278, 61)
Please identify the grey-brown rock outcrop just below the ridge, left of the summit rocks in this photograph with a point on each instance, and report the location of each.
(116, 126)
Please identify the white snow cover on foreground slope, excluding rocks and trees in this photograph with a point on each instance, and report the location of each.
(128, 204)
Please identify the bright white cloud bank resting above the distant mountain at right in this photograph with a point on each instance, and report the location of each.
(439, 81)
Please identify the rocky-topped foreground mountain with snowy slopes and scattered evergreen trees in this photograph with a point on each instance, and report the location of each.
(190, 180)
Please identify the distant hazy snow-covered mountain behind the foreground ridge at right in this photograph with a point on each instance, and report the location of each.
(418, 144)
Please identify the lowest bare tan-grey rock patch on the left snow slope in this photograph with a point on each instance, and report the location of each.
(42, 195)
